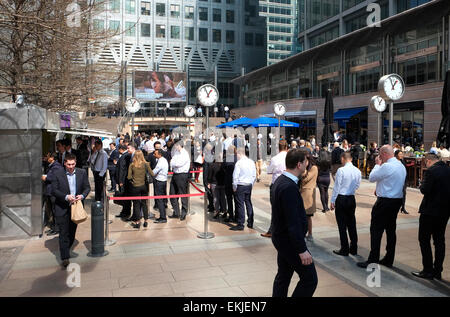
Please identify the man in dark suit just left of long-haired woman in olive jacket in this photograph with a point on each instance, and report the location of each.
(122, 179)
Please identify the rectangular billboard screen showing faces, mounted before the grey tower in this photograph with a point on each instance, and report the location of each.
(160, 86)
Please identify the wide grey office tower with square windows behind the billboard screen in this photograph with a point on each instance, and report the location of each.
(193, 36)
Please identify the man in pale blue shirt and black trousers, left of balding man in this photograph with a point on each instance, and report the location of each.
(348, 179)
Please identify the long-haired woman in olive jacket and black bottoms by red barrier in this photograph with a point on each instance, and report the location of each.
(138, 173)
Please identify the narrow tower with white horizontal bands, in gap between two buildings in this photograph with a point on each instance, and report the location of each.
(282, 28)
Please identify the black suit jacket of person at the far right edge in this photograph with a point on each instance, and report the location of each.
(436, 190)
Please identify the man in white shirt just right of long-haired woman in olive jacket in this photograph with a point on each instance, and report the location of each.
(160, 183)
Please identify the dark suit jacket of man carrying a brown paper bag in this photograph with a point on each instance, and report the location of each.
(60, 189)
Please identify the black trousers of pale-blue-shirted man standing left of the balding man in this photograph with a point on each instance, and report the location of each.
(345, 218)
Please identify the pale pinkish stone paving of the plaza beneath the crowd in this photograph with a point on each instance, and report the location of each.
(169, 259)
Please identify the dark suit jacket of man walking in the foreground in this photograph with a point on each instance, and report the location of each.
(289, 217)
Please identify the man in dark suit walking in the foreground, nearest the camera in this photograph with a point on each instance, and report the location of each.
(289, 230)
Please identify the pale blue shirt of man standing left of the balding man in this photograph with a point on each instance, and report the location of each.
(348, 179)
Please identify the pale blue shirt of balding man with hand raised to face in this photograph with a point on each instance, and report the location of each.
(390, 178)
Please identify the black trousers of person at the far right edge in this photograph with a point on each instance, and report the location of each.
(431, 226)
